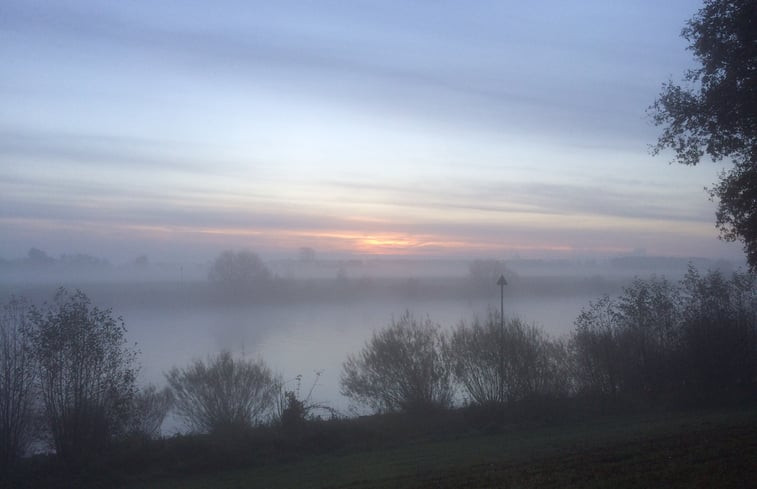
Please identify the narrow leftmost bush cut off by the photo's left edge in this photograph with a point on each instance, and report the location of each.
(17, 377)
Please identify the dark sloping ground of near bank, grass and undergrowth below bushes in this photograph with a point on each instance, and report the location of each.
(568, 447)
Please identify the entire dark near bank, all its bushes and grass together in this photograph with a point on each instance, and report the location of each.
(660, 381)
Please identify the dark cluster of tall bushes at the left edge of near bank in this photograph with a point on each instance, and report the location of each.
(68, 382)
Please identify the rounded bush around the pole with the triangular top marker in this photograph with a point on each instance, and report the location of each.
(502, 362)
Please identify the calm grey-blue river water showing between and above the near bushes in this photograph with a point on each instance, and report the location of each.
(302, 339)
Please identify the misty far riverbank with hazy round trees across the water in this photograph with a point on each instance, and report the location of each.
(243, 278)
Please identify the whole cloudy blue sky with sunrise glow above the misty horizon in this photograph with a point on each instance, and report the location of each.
(178, 129)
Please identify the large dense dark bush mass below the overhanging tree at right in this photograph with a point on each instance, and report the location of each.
(660, 341)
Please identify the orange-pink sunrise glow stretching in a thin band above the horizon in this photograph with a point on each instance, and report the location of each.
(343, 241)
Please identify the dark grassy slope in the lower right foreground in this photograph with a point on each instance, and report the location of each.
(702, 449)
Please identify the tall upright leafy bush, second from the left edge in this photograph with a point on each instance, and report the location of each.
(86, 373)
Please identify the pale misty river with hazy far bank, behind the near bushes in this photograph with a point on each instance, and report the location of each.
(311, 316)
